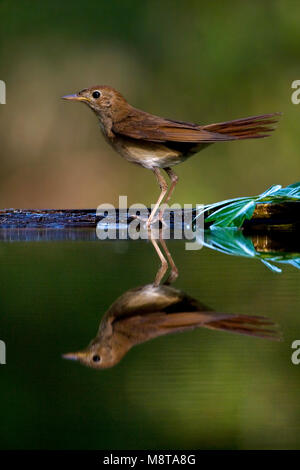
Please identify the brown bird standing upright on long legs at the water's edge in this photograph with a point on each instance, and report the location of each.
(157, 143)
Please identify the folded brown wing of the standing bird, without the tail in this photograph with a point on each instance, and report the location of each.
(144, 126)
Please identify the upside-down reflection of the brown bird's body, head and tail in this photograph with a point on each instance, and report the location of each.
(150, 311)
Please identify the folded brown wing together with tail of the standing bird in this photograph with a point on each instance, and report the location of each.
(141, 125)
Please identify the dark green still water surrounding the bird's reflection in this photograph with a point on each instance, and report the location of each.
(201, 388)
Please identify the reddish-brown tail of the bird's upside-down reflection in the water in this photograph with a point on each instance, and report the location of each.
(247, 325)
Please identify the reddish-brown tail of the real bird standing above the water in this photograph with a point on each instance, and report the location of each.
(253, 127)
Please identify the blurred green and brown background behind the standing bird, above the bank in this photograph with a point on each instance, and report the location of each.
(198, 61)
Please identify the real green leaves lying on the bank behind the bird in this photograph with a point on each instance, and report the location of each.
(233, 212)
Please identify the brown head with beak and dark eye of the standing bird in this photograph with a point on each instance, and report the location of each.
(104, 100)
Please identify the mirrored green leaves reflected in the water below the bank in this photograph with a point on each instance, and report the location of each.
(233, 242)
